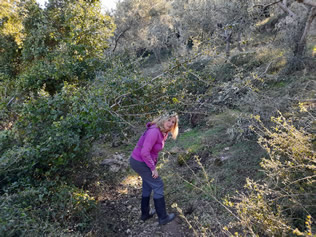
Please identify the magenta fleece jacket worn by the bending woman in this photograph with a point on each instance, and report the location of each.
(149, 145)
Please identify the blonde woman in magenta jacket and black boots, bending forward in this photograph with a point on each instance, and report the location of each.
(144, 159)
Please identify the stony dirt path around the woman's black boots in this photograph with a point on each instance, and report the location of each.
(119, 214)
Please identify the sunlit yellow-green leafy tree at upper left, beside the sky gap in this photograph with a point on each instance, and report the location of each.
(63, 42)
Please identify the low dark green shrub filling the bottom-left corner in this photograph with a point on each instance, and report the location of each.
(33, 211)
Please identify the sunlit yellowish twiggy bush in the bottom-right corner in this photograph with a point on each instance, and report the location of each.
(280, 205)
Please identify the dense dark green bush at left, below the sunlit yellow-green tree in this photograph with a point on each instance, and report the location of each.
(52, 134)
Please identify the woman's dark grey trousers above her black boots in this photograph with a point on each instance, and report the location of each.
(149, 183)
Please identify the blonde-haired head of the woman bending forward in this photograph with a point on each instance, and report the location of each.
(168, 123)
